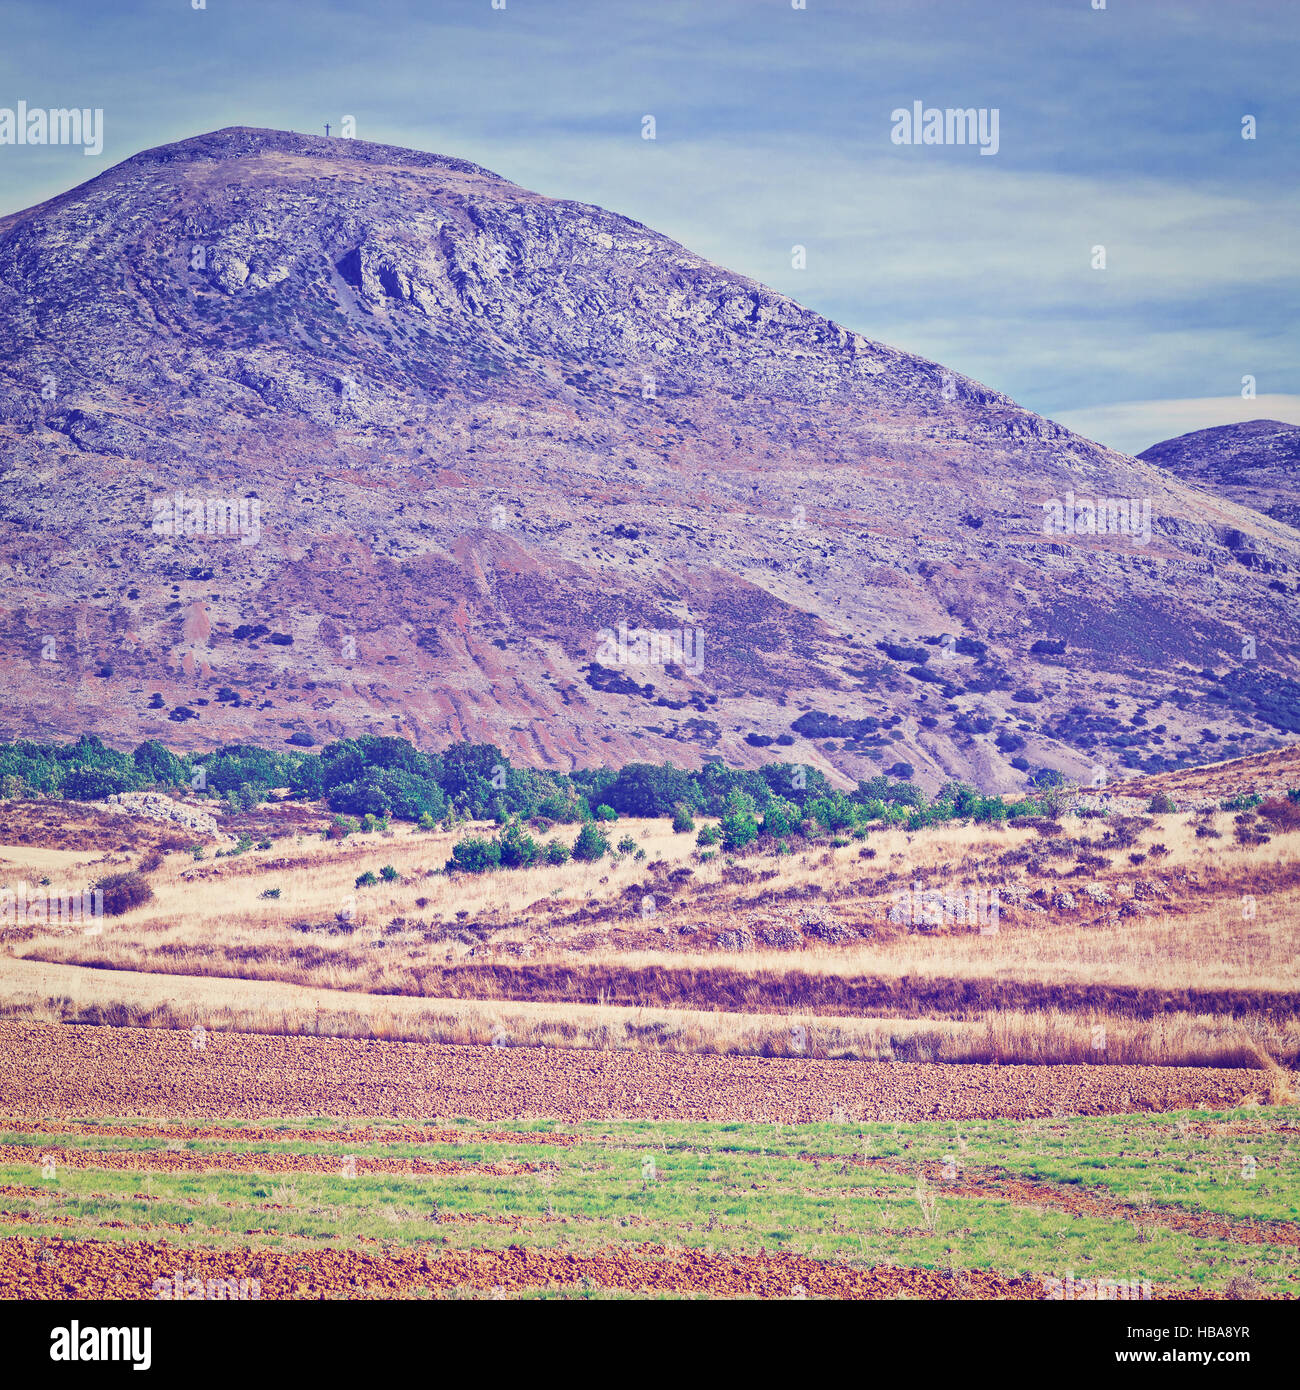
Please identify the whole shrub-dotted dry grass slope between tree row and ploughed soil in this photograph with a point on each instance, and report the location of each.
(1178, 947)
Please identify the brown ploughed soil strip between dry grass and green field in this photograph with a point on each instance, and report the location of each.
(69, 1071)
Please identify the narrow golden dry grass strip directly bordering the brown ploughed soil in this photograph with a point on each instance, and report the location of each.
(60, 993)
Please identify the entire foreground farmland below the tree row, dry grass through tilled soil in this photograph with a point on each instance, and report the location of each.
(907, 1008)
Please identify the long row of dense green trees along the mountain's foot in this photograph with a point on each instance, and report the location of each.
(382, 778)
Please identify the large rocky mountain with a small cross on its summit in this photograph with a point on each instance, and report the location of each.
(473, 429)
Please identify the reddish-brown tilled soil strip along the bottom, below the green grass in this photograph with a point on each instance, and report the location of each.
(52, 1268)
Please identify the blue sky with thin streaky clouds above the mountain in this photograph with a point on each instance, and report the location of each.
(1119, 129)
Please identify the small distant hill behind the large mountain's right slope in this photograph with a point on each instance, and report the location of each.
(1256, 465)
